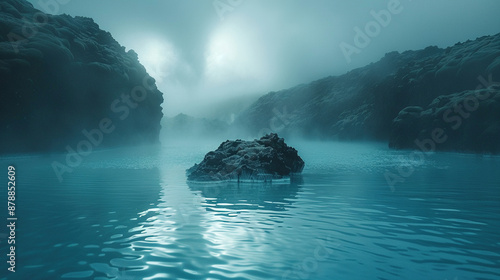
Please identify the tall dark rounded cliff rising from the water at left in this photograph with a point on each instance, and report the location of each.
(64, 80)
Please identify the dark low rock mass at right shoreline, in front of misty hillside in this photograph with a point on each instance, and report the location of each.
(468, 121)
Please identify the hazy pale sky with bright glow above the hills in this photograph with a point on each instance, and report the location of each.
(205, 51)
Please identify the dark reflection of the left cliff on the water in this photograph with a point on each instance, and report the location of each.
(64, 229)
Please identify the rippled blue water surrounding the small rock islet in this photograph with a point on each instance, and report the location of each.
(129, 214)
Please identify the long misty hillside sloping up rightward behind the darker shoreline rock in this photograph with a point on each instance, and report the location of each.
(363, 103)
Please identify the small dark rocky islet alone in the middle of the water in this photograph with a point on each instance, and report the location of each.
(266, 158)
